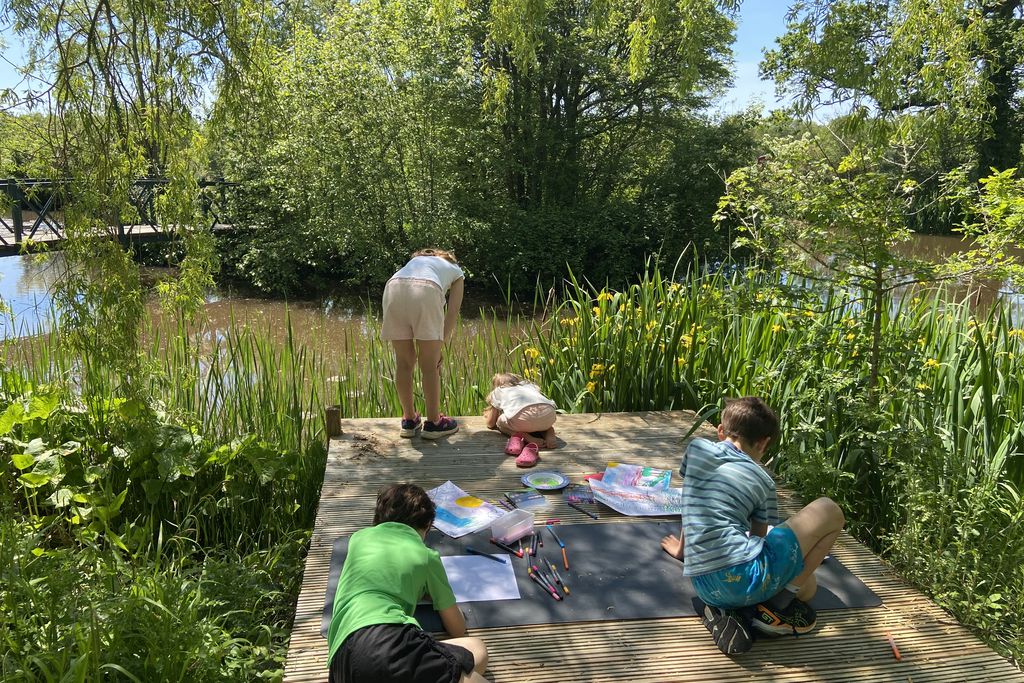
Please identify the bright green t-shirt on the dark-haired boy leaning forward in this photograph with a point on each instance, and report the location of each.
(388, 571)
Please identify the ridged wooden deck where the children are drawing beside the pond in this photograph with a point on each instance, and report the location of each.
(849, 646)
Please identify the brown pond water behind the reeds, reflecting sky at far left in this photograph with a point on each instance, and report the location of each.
(26, 285)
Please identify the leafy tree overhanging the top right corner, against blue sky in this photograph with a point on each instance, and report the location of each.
(940, 69)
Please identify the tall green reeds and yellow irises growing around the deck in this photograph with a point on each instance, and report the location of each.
(927, 463)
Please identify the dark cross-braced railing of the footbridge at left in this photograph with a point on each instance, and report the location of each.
(37, 196)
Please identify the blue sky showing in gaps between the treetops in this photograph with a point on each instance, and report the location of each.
(760, 23)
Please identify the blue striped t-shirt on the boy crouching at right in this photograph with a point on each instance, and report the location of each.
(723, 490)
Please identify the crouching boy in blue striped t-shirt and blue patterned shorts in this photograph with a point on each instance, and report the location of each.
(728, 549)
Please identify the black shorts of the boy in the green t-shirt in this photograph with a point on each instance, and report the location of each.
(399, 654)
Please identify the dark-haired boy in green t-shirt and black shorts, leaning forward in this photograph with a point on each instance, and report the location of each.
(373, 636)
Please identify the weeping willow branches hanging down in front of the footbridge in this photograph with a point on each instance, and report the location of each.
(127, 79)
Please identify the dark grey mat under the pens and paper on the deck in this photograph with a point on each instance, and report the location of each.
(617, 572)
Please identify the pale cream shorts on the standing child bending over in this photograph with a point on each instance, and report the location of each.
(413, 310)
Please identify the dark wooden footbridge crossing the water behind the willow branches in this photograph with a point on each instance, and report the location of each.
(34, 219)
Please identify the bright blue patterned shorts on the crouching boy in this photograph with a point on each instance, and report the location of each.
(748, 584)
